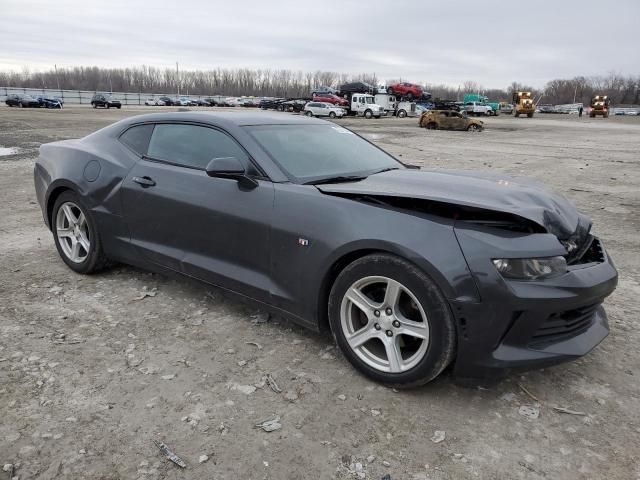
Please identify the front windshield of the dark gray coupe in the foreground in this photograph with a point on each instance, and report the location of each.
(315, 152)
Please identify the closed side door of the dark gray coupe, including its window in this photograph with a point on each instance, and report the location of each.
(212, 229)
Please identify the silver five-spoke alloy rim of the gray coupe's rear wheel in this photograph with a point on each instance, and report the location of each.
(72, 231)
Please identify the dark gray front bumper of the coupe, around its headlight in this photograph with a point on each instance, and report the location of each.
(522, 325)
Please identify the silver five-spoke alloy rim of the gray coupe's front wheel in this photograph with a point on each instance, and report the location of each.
(384, 324)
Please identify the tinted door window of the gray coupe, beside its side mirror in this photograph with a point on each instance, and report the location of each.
(192, 146)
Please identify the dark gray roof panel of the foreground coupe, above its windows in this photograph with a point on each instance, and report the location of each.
(227, 118)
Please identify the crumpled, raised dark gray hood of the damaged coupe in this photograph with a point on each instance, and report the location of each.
(517, 196)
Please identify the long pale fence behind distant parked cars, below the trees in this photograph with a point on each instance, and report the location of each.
(83, 97)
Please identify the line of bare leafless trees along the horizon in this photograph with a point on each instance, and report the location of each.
(622, 90)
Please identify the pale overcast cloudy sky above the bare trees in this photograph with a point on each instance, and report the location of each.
(492, 42)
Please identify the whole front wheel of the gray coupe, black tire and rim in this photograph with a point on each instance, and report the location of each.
(391, 321)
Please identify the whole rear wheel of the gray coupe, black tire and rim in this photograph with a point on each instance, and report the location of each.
(76, 235)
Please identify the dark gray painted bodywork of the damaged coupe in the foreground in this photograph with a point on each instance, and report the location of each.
(246, 240)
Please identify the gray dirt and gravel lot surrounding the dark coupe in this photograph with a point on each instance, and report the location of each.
(90, 376)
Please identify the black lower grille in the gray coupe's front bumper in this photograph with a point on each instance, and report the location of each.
(564, 325)
